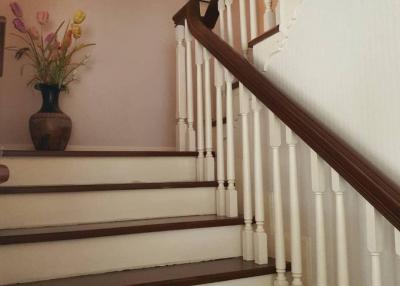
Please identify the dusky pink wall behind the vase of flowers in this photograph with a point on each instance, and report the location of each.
(126, 96)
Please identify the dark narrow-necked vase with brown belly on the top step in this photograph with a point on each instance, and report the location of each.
(50, 128)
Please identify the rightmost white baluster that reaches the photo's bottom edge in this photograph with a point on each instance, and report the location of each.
(373, 229)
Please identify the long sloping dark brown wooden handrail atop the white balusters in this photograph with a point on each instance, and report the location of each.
(365, 178)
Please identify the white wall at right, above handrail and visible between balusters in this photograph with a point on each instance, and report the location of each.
(341, 62)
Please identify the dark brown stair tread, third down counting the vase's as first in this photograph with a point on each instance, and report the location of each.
(81, 231)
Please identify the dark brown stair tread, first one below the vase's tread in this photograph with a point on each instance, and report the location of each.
(104, 187)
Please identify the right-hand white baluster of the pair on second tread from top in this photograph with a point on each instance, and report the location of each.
(209, 163)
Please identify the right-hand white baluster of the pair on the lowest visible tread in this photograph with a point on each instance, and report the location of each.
(260, 237)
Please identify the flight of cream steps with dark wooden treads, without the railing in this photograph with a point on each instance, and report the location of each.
(113, 218)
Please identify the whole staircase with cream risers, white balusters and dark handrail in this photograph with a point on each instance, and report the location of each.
(201, 215)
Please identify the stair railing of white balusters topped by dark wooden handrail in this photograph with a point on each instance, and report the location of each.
(255, 90)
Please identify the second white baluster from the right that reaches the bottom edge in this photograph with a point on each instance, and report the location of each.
(341, 236)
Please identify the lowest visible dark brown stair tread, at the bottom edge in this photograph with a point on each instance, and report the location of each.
(178, 275)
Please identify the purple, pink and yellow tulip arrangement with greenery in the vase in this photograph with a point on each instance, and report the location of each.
(51, 56)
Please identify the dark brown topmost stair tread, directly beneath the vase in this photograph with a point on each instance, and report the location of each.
(25, 153)
